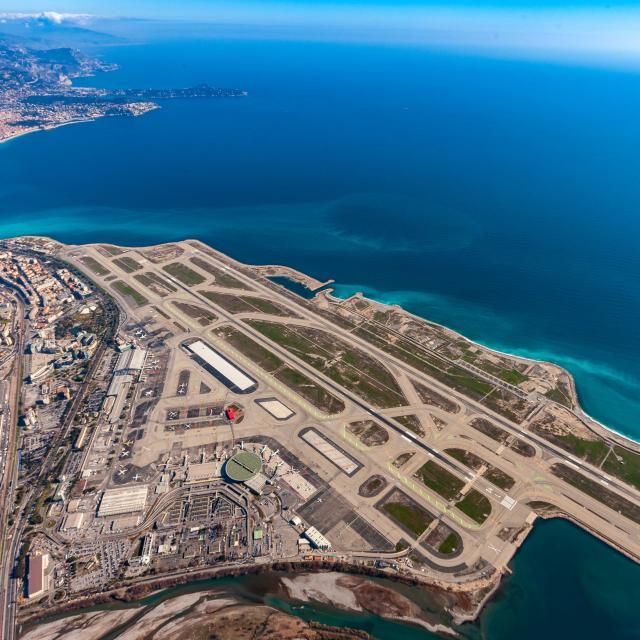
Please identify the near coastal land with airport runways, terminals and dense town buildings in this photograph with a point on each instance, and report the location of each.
(169, 413)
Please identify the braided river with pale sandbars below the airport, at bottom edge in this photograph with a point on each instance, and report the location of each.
(268, 588)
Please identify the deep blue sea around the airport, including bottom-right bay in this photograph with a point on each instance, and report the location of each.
(499, 198)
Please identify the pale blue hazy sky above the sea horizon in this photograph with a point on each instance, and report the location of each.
(591, 30)
